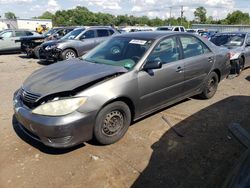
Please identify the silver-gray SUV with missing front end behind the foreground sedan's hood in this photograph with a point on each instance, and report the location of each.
(75, 43)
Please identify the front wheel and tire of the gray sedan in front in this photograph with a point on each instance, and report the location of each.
(112, 123)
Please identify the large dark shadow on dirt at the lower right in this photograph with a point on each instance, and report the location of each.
(206, 153)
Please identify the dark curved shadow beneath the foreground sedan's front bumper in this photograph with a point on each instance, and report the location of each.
(38, 145)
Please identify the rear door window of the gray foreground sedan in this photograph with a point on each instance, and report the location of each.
(193, 46)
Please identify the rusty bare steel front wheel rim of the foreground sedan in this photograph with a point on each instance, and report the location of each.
(113, 123)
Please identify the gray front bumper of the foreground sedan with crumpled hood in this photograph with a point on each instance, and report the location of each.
(54, 131)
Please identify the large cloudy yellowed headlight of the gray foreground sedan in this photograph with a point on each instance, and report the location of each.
(60, 107)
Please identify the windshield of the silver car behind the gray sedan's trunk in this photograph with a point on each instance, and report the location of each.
(228, 39)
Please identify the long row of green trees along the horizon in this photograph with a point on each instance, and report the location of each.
(82, 16)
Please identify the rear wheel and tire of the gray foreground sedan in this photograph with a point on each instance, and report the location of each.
(211, 86)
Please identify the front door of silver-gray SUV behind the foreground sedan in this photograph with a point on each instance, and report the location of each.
(88, 41)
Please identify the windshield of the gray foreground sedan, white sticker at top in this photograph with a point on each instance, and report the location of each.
(119, 51)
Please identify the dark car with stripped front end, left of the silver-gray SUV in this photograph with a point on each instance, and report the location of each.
(30, 45)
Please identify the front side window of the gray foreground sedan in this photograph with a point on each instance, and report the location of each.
(166, 51)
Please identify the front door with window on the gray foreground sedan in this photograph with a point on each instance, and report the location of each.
(159, 86)
